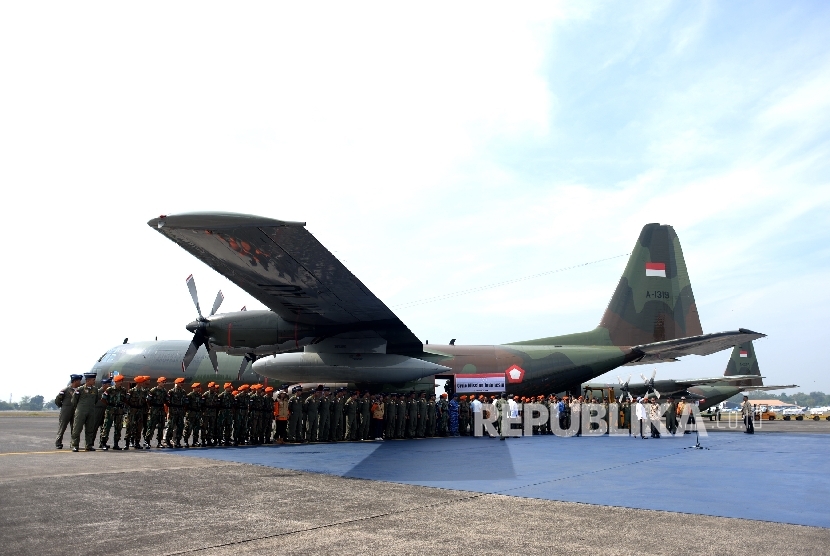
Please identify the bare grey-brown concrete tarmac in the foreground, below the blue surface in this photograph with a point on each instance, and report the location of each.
(161, 502)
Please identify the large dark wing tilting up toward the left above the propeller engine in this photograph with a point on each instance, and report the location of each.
(283, 266)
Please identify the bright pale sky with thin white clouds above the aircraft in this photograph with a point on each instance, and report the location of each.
(434, 148)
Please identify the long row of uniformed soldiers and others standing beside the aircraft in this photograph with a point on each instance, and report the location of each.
(255, 414)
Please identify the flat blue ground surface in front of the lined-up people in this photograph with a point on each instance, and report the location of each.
(771, 477)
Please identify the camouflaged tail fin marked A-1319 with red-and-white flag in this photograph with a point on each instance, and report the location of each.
(653, 301)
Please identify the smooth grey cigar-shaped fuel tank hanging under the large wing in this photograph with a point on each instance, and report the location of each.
(345, 367)
